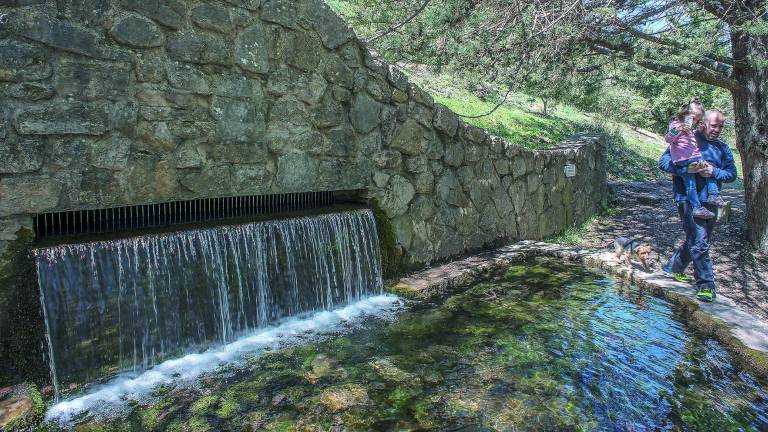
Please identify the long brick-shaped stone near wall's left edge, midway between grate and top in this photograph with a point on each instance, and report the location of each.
(62, 119)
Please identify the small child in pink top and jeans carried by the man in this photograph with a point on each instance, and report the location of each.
(685, 152)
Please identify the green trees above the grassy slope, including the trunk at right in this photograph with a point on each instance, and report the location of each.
(716, 43)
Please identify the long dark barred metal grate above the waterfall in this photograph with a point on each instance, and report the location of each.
(174, 213)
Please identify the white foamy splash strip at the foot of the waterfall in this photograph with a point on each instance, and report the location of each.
(107, 398)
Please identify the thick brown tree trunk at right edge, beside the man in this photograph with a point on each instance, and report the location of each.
(750, 106)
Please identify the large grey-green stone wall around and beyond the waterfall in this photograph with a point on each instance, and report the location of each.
(117, 102)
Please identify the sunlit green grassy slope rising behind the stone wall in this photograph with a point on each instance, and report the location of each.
(520, 120)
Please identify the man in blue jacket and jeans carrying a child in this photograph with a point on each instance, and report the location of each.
(720, 165)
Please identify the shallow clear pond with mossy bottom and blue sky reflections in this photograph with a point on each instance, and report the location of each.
(541, 346)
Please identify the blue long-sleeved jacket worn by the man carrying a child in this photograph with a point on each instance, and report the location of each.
(715, 152)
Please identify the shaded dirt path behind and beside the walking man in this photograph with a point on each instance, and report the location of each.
(739, 274)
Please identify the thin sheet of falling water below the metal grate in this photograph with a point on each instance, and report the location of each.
(118, 305)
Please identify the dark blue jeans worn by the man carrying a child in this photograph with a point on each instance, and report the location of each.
(696, 247)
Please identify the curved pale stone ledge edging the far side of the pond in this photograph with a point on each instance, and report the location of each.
(744, 335)
